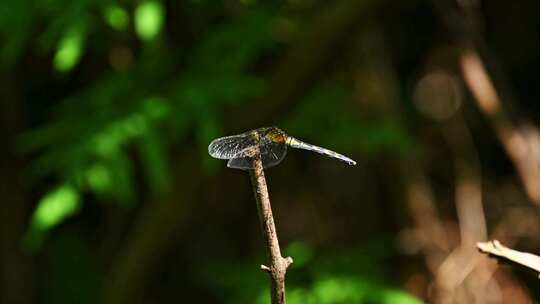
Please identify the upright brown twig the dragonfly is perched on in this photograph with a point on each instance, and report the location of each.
(278, 265)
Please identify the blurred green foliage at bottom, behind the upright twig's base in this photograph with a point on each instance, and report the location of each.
(351, 276)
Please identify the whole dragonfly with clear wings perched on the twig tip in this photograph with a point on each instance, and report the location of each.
(272, 145)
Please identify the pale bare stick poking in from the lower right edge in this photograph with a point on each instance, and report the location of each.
(497, 249)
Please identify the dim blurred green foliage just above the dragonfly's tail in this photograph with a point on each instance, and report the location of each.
(342, 128)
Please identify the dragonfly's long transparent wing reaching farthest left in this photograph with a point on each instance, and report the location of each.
(231, 146)
